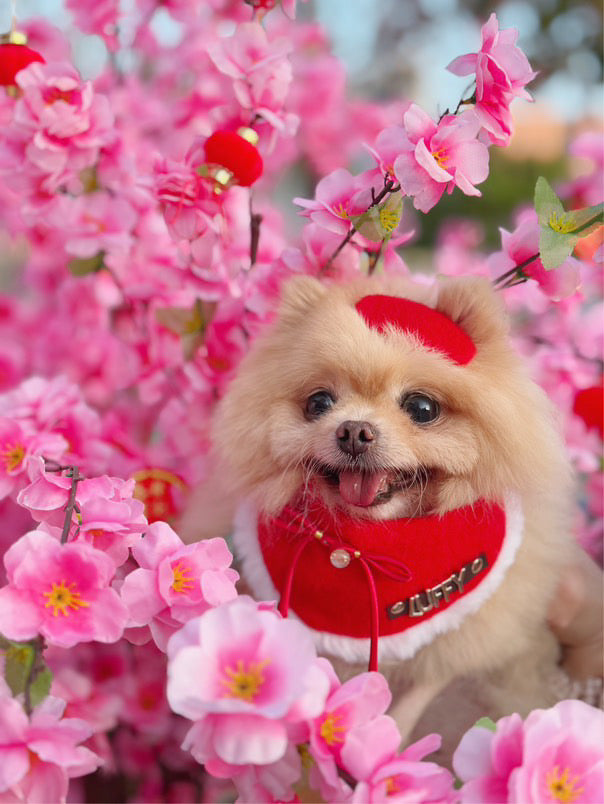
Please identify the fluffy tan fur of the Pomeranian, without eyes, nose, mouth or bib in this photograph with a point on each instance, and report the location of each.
(496, 434)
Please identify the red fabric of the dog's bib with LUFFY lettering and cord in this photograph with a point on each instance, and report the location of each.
(359, 578)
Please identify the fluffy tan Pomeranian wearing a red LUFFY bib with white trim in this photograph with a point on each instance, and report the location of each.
(391, 474)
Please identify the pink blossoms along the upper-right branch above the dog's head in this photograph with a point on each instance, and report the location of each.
(427, 158)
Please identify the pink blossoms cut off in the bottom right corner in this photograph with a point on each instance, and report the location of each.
(555, 755)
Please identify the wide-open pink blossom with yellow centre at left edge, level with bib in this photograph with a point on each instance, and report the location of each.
(59, 591)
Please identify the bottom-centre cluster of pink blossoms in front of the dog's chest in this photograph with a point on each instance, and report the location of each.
(256, 691)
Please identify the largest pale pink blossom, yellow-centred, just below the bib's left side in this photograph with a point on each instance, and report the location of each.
(248, 674)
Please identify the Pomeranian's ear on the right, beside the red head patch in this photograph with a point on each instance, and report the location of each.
(474, 306)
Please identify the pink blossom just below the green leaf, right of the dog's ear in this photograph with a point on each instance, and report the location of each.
(523, 243)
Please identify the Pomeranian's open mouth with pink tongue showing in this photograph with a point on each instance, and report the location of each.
(364, 488)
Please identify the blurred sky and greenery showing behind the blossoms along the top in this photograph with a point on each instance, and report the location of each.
(400, 49)
